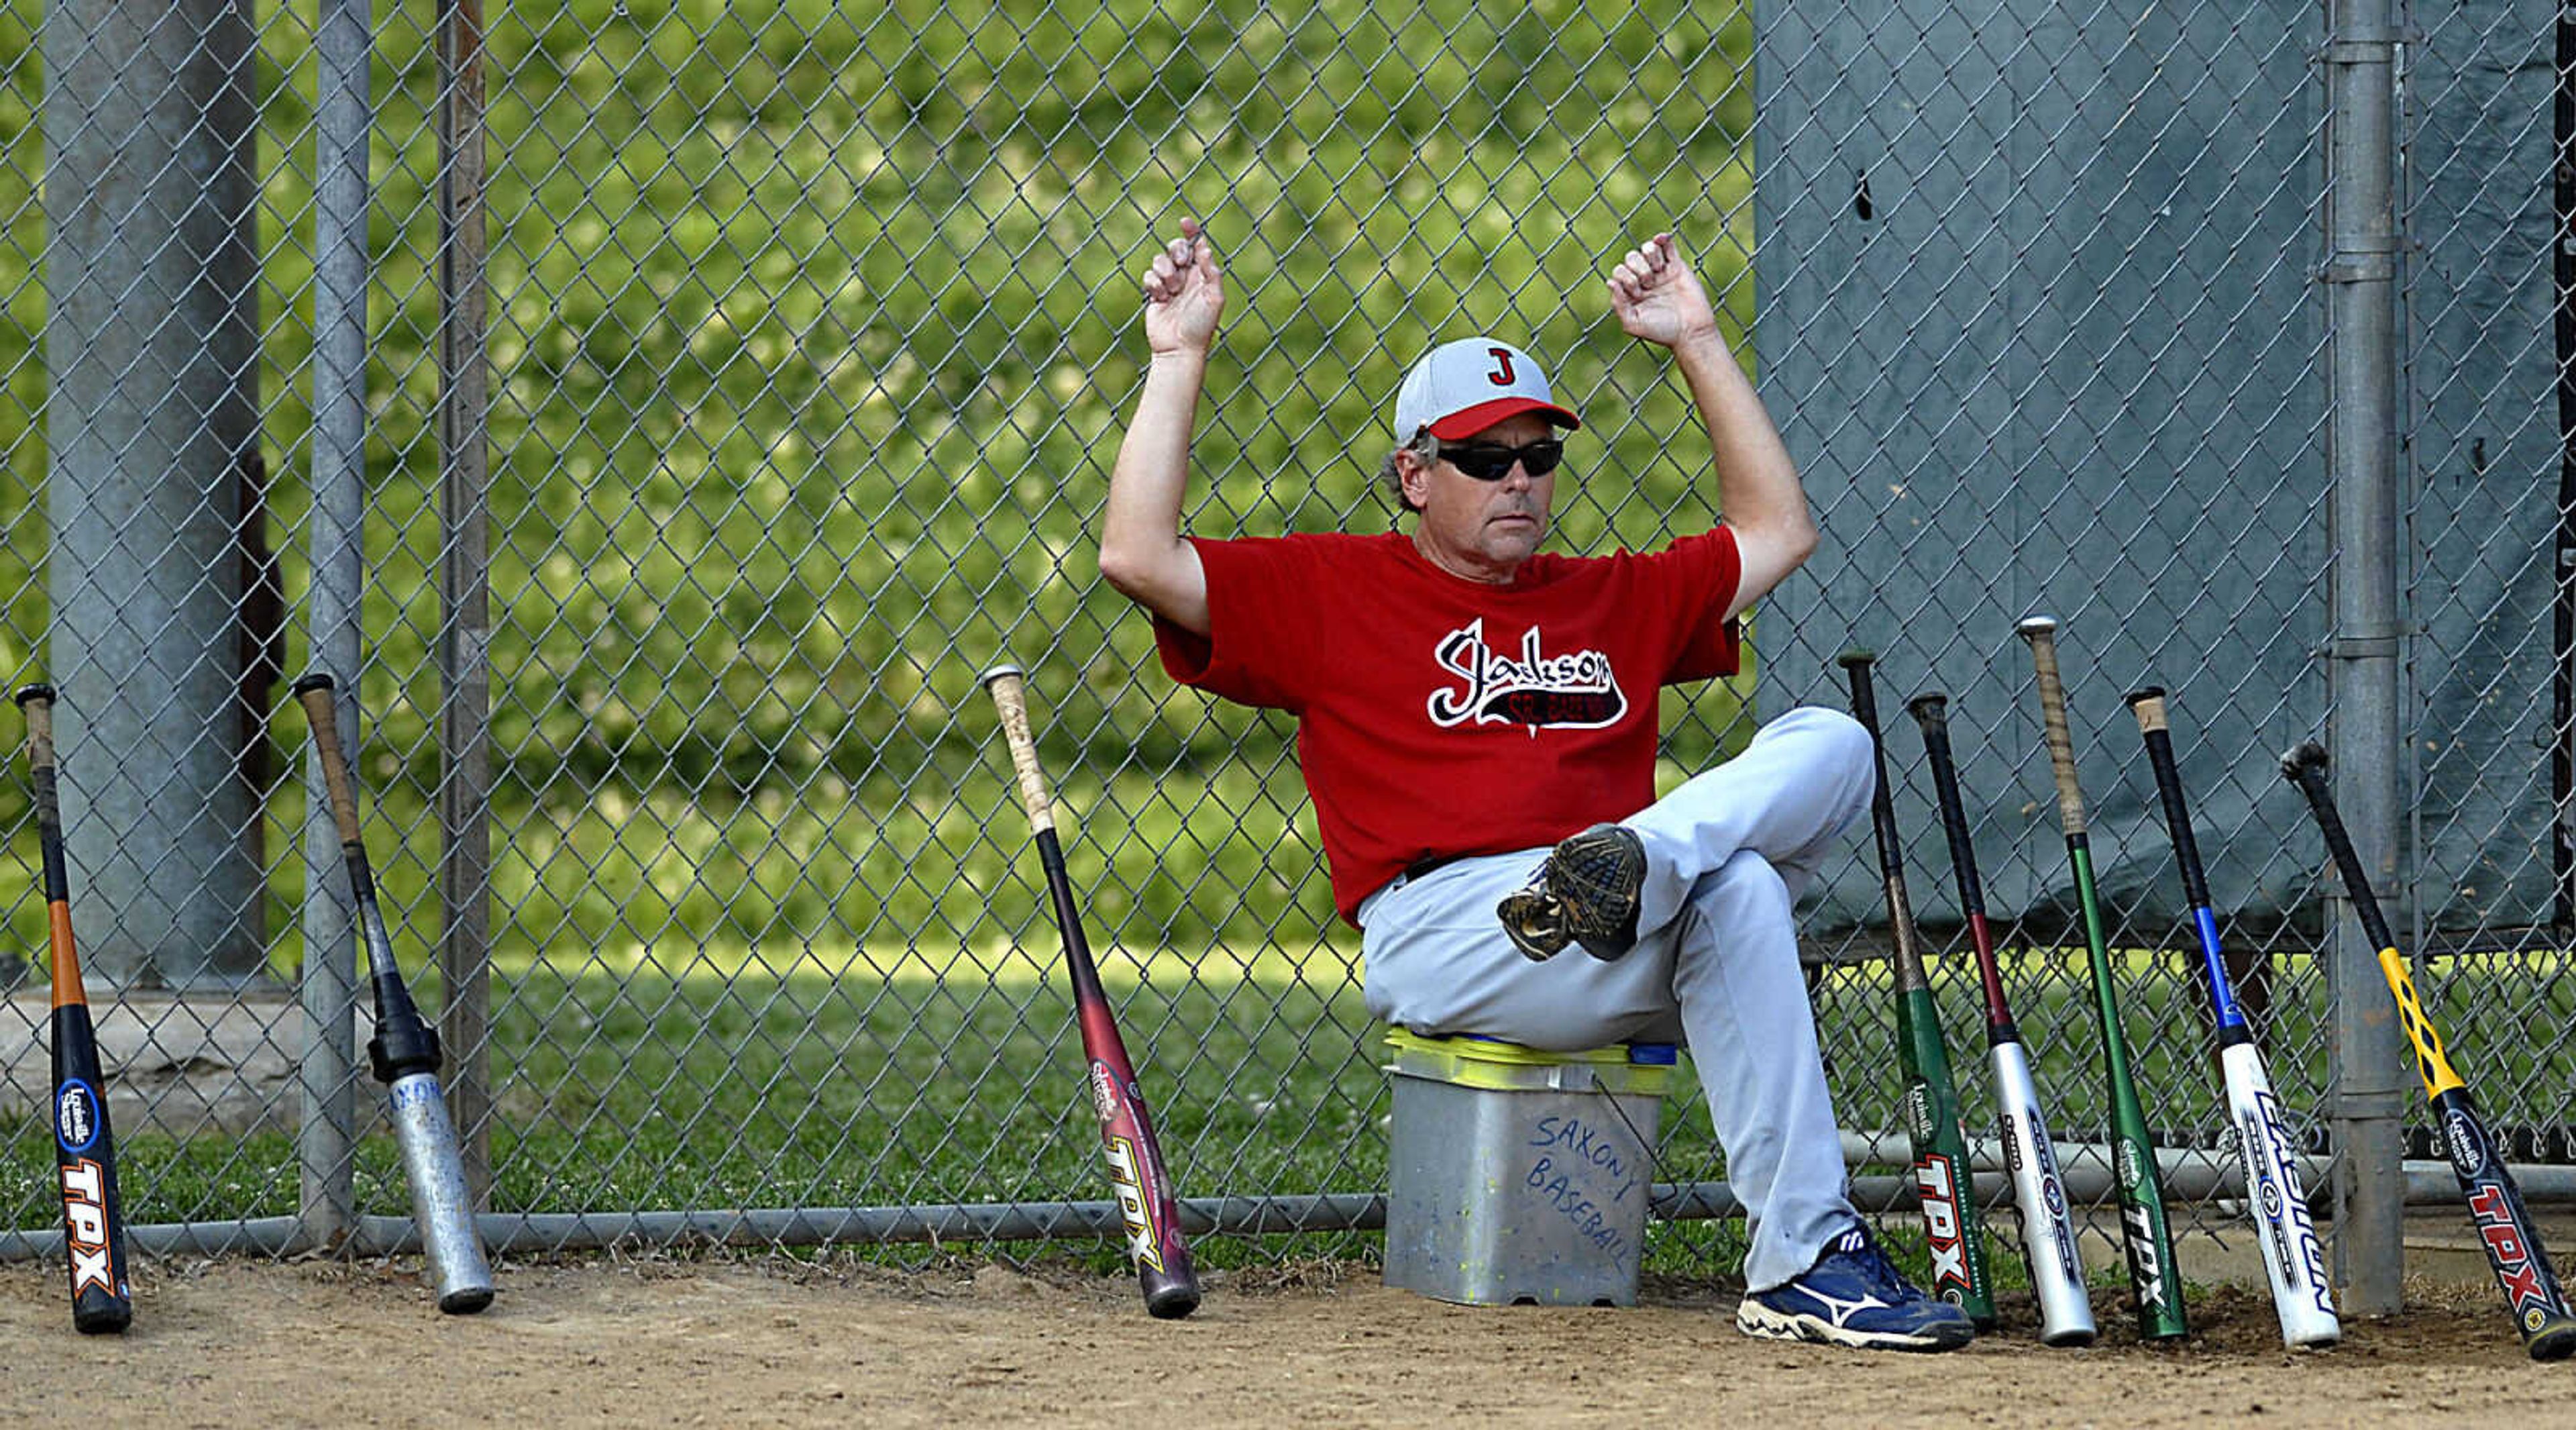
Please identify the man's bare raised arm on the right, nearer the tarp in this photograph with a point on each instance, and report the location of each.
(1660, 300)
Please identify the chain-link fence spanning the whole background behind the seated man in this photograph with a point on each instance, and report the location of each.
(699, 398)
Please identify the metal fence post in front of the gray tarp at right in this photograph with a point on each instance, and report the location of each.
(2363, 645)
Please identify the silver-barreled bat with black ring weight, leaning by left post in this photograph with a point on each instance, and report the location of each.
(406, 1050)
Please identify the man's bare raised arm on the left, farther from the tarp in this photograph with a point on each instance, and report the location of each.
(1140, 532)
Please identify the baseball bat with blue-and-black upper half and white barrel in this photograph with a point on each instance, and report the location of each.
(2291, 1256)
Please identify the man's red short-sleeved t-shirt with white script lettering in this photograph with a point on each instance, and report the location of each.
(1452, 718)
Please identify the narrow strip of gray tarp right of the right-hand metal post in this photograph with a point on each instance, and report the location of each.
(2482, 406)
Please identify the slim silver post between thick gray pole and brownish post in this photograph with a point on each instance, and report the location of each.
(326, 1138)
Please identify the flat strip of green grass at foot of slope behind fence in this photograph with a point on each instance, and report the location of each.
(802, 1078)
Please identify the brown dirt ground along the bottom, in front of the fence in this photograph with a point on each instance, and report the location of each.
(779, 1344)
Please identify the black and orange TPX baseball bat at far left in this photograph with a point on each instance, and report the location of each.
(94, 1220)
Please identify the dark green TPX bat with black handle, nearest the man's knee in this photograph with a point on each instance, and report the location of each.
(1944, 1176)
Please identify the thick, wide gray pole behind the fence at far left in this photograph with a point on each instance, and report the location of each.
(151, 411)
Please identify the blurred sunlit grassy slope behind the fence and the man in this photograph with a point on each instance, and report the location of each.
(813, 334)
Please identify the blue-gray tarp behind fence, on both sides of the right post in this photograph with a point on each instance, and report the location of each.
(2039, 318)
